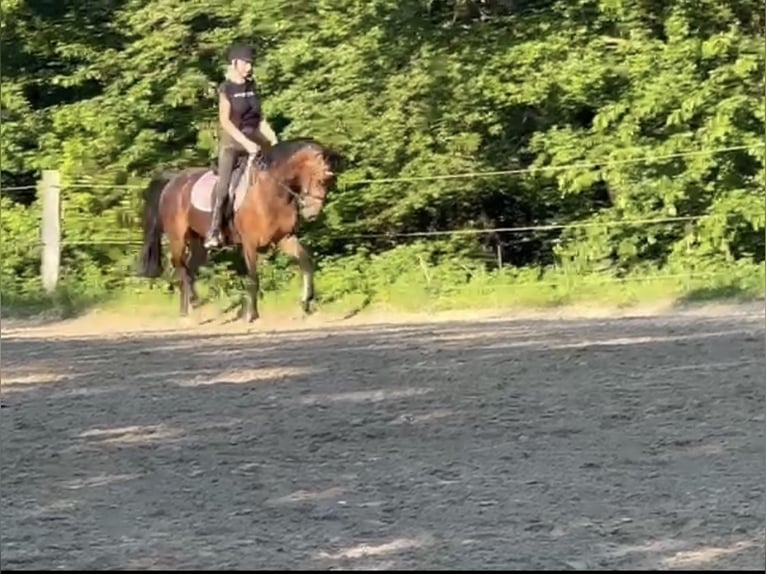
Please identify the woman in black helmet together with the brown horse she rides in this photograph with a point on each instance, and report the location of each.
(300, 173)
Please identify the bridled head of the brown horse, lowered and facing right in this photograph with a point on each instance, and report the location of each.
(308, 168)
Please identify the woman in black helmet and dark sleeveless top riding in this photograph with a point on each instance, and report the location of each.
(242, 125)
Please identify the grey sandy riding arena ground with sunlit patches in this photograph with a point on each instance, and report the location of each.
(538, 442)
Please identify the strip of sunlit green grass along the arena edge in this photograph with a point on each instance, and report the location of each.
(416, 291)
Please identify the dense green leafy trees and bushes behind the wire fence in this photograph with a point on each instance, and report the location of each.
(576, 91)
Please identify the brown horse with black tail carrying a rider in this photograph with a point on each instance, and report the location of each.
(293, 181)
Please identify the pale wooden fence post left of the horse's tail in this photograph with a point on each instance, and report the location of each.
(51, 229)
